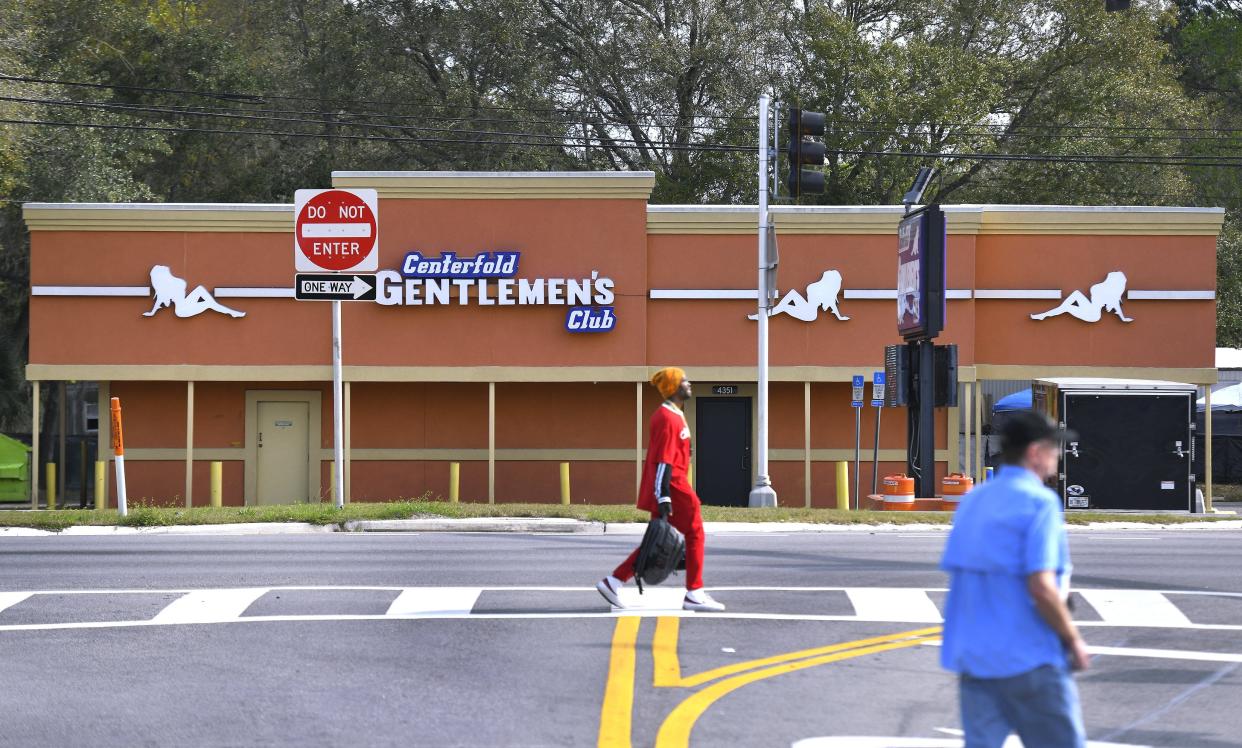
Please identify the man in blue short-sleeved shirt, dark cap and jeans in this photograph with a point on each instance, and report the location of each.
(1008, 632)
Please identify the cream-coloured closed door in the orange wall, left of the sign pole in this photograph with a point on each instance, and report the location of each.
(284, 453)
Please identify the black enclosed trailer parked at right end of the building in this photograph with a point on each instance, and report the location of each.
(1136, 442)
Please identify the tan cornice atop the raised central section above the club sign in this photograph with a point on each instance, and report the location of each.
(502, 186)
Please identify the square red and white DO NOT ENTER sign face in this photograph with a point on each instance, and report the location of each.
(336, 230)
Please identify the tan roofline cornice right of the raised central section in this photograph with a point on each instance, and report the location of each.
(962, 219)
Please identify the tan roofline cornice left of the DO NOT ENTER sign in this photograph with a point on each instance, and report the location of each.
(158, 217)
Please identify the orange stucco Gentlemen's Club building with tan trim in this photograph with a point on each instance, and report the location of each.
(438, 373)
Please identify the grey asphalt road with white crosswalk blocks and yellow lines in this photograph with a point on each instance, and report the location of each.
(501, 641)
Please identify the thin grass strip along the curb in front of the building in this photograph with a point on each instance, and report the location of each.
(424, 509)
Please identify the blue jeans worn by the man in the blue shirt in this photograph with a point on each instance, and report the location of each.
(1041, 706)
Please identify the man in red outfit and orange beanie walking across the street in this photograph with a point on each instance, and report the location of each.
(666, 491)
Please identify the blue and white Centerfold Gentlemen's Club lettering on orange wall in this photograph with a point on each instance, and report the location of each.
(491, 280)
